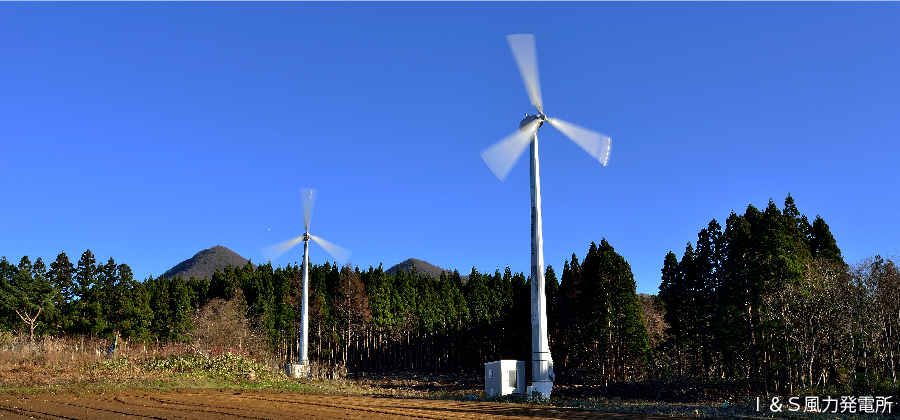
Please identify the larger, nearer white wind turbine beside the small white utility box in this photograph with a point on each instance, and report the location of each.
(500, 158)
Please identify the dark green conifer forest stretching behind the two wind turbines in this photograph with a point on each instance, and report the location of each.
(766, 300)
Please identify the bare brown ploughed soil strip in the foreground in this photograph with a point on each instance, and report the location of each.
(253, 404)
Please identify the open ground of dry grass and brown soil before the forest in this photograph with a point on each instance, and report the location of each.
(55, 378)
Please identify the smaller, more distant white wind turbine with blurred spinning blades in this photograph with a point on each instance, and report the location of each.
(274, 251)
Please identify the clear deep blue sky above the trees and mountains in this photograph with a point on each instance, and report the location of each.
(147, 132)
